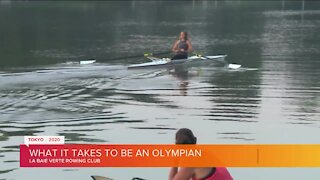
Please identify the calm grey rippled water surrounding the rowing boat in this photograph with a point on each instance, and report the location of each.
(274, 98)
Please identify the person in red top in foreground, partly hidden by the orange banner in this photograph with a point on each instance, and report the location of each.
(185, 136)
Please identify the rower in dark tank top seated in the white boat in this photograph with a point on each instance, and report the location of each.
(182, 47)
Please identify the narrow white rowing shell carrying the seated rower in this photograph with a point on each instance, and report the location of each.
(169, 62)
